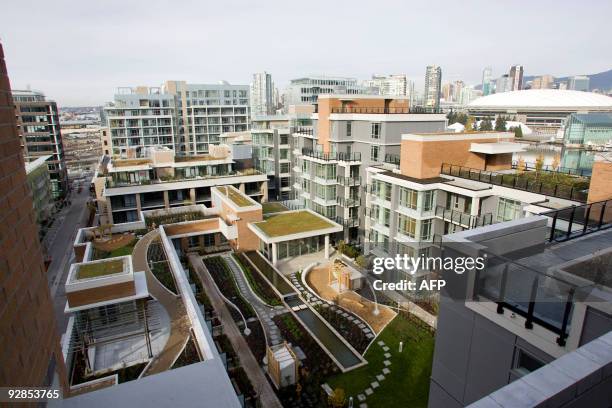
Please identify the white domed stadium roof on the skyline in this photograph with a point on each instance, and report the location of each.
(543, 98)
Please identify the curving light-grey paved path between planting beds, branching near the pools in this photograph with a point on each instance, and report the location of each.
(264, 312)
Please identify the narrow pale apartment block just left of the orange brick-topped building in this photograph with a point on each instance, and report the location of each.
(270, 137)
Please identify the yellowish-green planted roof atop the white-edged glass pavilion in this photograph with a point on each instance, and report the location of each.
(292, 223)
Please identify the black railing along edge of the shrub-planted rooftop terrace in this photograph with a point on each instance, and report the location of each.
(518, 181)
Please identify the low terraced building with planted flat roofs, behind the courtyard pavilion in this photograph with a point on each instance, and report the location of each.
(161, 179)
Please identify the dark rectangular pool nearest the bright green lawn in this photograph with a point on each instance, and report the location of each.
(331, 342)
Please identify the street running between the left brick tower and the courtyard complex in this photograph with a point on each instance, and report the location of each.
(59, 247)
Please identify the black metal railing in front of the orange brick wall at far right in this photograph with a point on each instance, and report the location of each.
(576, 221)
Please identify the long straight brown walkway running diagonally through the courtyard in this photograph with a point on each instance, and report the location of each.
(267, 397)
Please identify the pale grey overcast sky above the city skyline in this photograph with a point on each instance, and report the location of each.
(78, 52)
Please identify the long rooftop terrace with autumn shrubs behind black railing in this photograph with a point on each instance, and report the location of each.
(542, 182)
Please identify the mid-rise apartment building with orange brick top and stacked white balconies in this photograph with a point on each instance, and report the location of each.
(348, 134)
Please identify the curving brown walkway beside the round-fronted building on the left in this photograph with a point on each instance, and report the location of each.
(180, 325)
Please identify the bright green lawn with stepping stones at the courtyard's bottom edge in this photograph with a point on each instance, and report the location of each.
(407, 385)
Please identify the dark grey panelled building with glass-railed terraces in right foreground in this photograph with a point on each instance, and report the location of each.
(533, 327)
